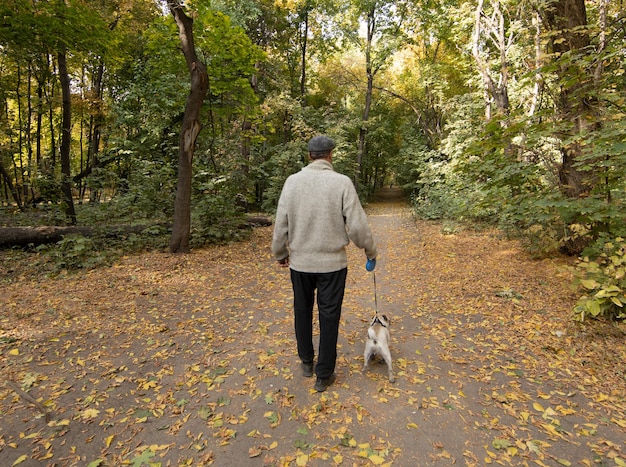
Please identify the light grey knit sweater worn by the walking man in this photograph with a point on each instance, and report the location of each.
(318, 213)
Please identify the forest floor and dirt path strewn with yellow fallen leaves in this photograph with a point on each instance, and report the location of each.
(190, 360)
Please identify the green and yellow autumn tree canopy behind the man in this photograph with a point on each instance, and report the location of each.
(505, 112)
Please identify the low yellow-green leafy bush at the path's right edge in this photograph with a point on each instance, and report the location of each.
(602, 282)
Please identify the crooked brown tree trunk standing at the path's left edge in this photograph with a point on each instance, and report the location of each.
(191, 127)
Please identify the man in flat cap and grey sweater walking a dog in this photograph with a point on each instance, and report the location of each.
(318, 213)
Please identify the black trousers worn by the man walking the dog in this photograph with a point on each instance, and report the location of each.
(330, 288)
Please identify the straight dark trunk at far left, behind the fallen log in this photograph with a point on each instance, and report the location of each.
(66, 134)
